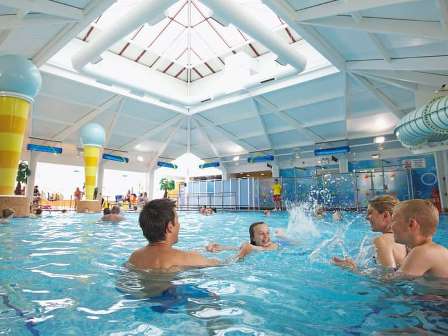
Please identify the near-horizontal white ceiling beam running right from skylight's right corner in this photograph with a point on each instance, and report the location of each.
(428, 63)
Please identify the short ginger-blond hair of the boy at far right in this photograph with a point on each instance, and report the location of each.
(423, 211)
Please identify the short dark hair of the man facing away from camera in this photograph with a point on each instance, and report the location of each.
(155, 217)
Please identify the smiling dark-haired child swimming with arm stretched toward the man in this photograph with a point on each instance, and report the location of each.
(260, 240)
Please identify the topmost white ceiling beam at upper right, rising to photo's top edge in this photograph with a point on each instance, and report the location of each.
(343, 7)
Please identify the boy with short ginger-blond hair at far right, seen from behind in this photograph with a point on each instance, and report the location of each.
(414, 223)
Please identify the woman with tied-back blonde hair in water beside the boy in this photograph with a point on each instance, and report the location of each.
(388, 252)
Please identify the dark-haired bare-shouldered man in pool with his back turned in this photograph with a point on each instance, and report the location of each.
(160, 225)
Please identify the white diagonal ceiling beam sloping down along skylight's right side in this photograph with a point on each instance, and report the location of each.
(283, 9)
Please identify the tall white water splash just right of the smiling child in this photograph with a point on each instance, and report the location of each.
(300, 222)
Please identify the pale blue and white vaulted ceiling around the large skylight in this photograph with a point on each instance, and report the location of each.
(366, 59)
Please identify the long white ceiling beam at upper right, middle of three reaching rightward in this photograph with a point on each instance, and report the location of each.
(424, 29)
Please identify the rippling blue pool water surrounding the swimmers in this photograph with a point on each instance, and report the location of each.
(64, 274)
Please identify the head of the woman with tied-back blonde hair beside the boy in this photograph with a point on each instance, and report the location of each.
(379, 212)
